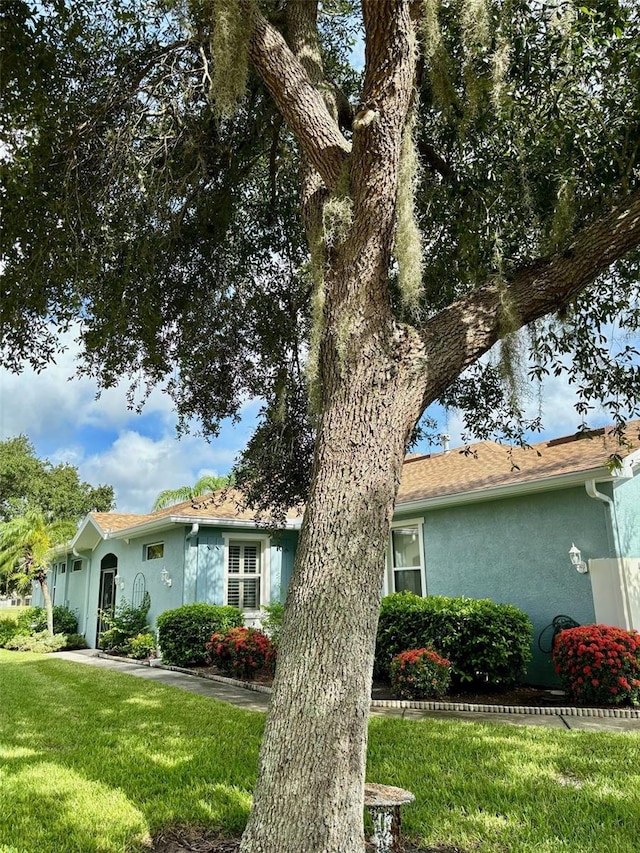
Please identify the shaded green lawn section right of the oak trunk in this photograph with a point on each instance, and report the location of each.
(506, 788)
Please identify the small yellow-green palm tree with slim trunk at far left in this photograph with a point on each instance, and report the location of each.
(25, 547)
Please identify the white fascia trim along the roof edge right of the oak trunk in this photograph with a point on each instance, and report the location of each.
(548, 484)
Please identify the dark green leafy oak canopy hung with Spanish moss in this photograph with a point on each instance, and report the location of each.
(137, 202)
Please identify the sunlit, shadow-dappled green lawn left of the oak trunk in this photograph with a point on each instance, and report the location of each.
(93, 761)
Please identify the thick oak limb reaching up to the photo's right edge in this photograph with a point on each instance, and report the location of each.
(461, 333)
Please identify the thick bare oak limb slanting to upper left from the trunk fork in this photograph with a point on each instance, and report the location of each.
(300, 103)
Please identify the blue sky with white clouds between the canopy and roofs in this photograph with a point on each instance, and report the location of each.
(140, 455)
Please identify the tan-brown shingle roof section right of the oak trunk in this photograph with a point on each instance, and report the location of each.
(488, 465)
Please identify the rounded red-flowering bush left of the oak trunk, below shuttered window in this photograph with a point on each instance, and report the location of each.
(241, 652)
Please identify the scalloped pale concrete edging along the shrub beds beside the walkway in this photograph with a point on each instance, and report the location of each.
(550, 711)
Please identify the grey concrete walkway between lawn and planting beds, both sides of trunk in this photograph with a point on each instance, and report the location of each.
(259, 701)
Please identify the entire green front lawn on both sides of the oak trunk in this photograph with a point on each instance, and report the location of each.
(91, 760)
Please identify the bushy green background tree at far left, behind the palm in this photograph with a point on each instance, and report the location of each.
(26, 481)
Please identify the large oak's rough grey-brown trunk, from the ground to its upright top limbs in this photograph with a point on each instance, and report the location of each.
(310, 791)
